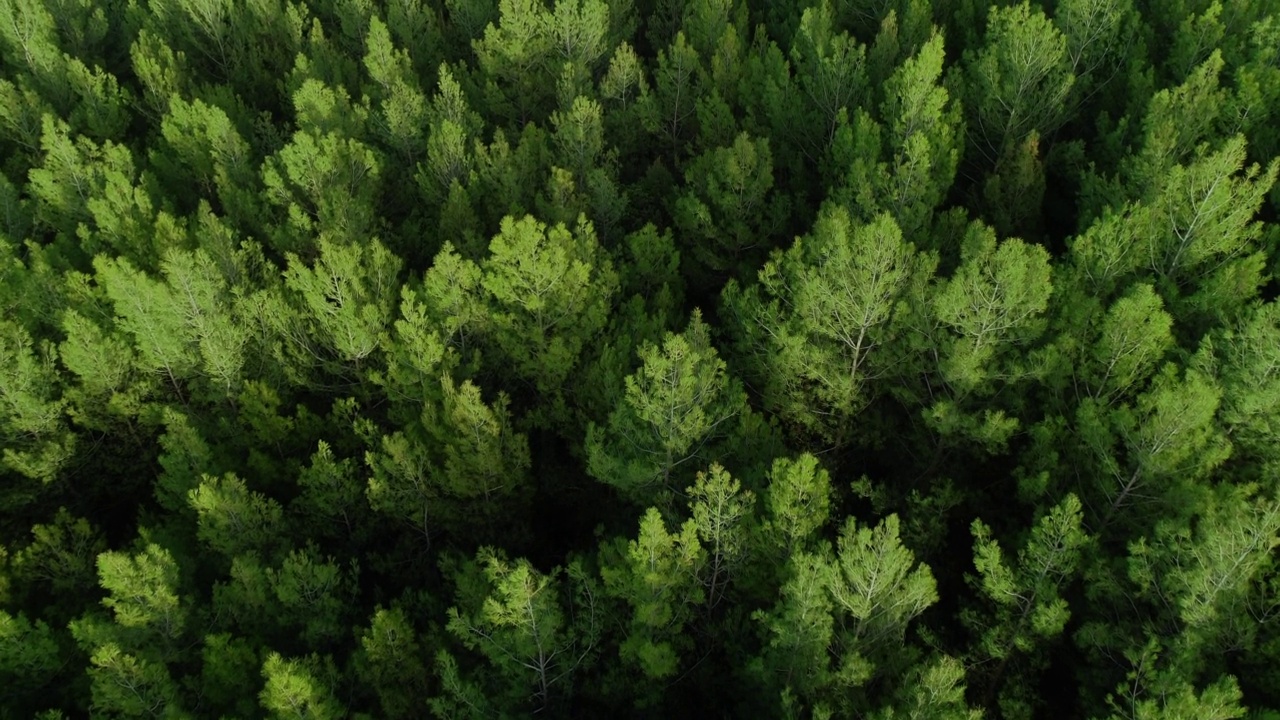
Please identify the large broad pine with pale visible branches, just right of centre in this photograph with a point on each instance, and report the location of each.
(812, 329)
